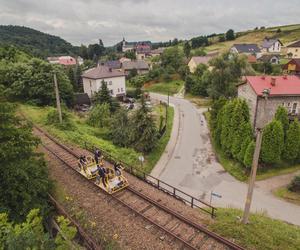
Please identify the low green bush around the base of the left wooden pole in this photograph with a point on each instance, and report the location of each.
(53, 119)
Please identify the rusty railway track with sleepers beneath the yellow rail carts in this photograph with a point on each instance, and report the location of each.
(178, 229)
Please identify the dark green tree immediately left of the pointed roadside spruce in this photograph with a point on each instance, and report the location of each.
(120, 128)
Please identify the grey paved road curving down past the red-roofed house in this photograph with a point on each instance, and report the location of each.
(190, 165)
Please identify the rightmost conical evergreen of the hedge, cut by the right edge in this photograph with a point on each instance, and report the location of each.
(291, 150)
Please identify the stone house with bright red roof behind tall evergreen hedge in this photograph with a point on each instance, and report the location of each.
(264, 94)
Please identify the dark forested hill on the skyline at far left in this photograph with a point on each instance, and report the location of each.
(33, 41)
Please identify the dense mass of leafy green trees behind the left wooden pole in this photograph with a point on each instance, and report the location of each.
(27, 79)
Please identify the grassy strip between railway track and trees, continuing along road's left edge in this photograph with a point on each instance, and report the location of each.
(81, 133)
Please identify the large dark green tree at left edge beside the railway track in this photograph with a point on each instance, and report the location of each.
(24, 182)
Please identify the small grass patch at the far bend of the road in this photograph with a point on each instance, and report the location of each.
(172, 87)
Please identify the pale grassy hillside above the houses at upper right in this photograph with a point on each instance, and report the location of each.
(288, 34)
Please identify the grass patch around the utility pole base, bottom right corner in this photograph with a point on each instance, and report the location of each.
(262, 233)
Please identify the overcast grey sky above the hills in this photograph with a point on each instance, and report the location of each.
(85, 21)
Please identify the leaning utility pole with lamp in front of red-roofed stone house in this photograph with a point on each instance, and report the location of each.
(245, 220)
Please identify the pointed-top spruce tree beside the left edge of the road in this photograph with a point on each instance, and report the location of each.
(144, 131)
